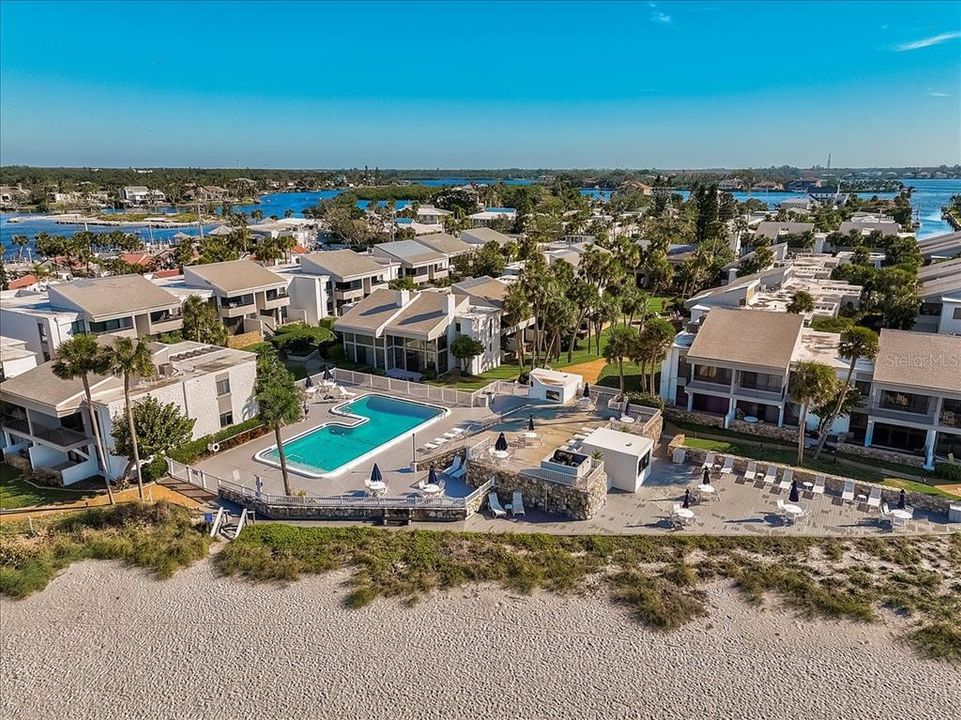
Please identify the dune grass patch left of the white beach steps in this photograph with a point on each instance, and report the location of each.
(160, 538)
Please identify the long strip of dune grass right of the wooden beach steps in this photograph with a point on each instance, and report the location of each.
(658, 579)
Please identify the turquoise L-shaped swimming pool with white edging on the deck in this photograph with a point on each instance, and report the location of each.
(332, 448)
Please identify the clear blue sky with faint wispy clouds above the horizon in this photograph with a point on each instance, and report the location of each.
(432, 85)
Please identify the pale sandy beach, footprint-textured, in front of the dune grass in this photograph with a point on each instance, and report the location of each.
(108, 642)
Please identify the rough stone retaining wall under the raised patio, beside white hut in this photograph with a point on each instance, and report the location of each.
(579, 503)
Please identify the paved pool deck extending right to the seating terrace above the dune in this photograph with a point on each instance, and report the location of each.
(740, 508)
